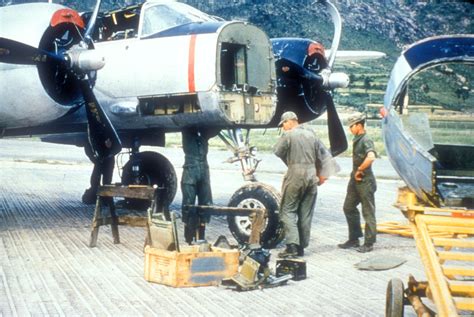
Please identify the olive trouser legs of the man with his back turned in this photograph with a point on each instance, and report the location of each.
(299, 192)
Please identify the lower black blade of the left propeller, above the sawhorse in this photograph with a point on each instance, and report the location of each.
(103, 138)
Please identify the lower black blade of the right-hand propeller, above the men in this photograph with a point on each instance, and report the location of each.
(337, 137)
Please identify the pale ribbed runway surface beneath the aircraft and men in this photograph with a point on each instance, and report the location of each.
(46, 267)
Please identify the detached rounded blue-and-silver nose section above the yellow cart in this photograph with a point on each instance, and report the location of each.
(439, 169)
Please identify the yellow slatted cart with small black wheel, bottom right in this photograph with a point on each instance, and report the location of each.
(448, 261)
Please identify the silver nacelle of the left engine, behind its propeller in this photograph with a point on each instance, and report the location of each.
(49, 90)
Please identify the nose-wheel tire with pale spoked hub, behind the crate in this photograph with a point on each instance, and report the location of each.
(255, 195)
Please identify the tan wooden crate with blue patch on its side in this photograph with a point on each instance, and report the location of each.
(189, 267)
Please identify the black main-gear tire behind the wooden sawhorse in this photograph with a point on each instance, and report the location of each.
(155, 169)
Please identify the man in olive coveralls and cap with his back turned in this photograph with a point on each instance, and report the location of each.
(305, 156)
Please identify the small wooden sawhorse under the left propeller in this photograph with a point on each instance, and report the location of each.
(105, 195)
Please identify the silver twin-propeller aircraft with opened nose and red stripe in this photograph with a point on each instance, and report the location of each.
(124, 78)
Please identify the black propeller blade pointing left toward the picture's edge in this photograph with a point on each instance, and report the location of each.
(13, 52)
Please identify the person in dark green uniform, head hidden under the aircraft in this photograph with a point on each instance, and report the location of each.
(195, 182)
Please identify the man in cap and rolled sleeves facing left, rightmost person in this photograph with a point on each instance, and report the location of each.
(361, 188)
